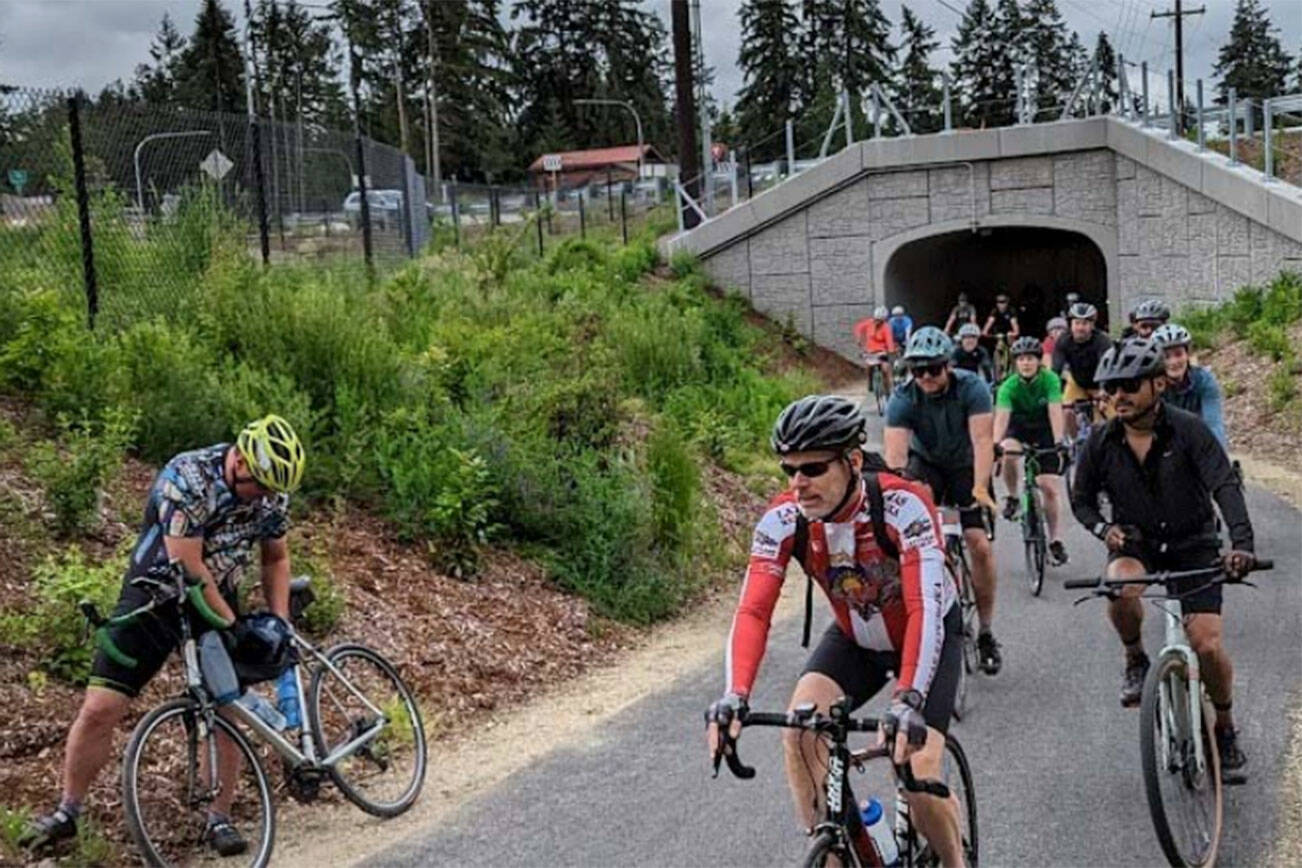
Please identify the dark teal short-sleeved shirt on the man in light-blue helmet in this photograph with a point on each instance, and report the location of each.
(939, 422)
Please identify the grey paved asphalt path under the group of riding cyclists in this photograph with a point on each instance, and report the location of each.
(1055, 758)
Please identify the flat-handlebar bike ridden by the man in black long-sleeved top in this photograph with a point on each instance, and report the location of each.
(1178, 745)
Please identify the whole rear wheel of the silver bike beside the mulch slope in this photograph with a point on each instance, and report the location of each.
(359, 692)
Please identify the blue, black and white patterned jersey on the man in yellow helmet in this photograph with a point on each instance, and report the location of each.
(191, 499)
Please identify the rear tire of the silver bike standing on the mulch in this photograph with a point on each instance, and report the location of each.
(413, 715)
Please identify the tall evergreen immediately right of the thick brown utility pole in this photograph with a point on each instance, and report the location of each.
(771, 72)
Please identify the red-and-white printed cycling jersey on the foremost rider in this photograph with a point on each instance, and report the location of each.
(880, 603)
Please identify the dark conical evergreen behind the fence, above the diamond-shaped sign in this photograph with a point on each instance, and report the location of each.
(210, 71)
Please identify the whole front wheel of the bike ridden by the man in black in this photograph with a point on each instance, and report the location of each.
(1184, 802)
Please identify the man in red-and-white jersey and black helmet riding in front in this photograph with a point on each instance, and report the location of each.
(872, 541)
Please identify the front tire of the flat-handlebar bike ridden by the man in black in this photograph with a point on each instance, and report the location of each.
(1150, 709)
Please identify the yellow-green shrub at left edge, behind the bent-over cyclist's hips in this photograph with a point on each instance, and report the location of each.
(54, 625)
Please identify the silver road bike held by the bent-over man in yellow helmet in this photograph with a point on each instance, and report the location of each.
(173, 755)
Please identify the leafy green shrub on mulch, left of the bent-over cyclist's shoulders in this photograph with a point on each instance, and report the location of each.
(75, 470)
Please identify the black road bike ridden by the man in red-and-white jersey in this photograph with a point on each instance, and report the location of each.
(842, 834)
